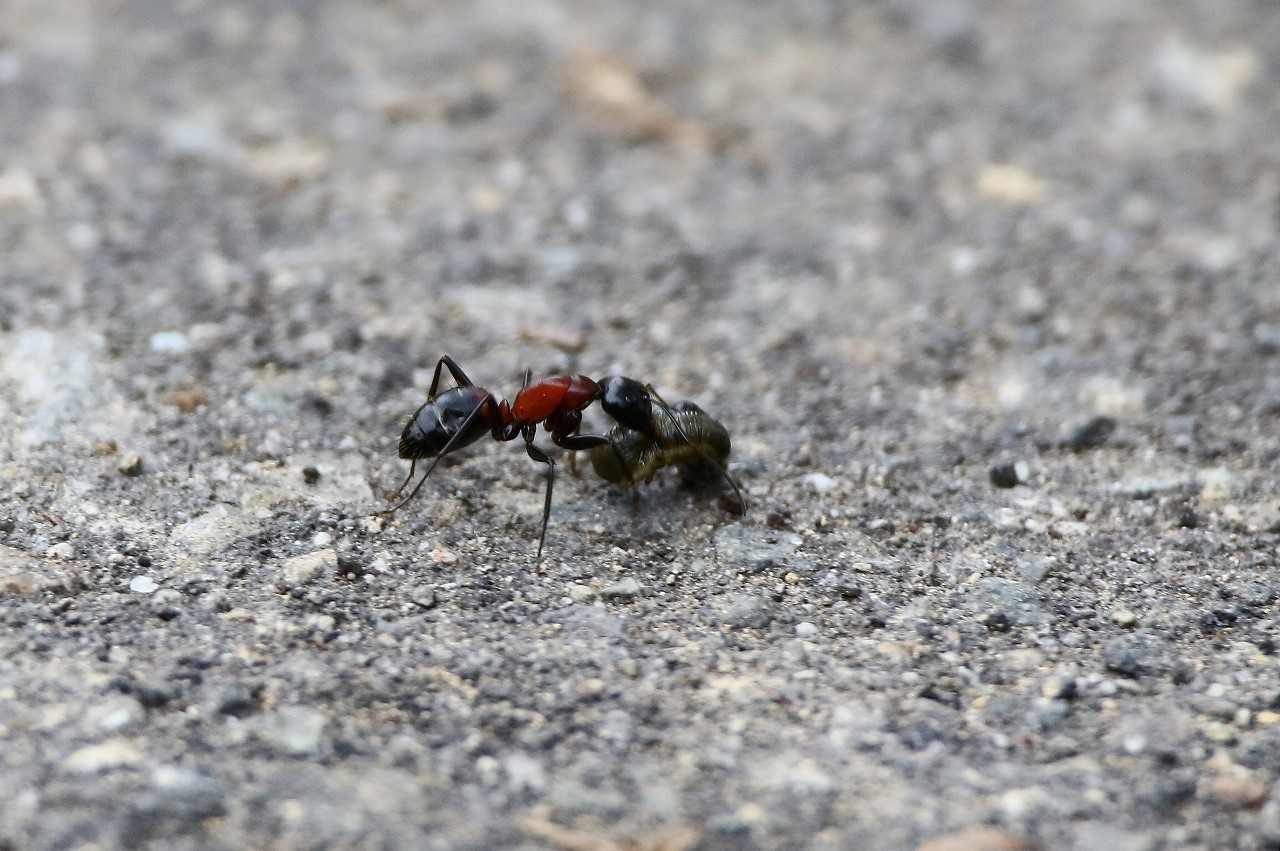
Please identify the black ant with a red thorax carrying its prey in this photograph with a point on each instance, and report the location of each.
(464, 414)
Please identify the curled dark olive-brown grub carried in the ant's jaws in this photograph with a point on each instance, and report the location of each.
(687, 438)
